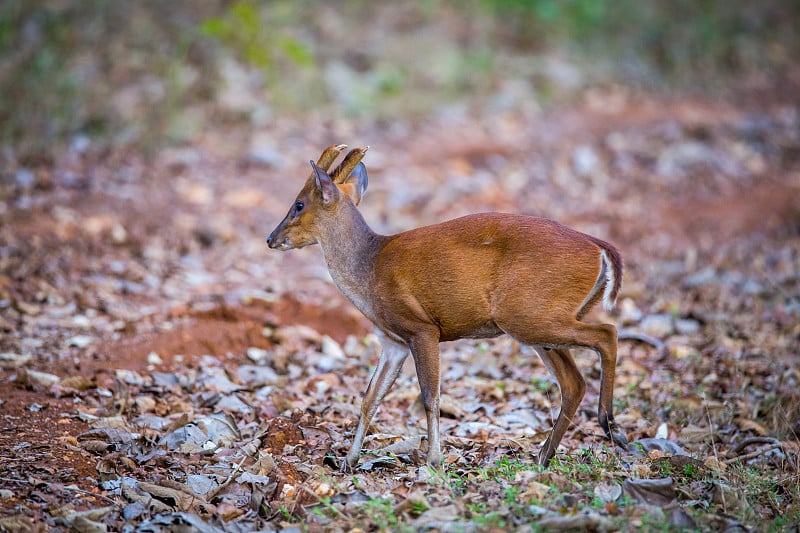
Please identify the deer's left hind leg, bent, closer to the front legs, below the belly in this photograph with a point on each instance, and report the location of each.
(572, 386)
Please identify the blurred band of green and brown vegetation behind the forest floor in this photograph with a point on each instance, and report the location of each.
(151, 70)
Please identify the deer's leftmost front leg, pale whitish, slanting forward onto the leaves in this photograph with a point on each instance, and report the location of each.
(393, 354)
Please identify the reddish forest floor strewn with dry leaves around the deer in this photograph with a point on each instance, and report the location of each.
(161, 368)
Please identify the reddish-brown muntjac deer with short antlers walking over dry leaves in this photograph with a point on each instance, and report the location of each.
(478, 276)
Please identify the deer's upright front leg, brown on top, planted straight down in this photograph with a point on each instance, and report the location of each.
(425, 348)
